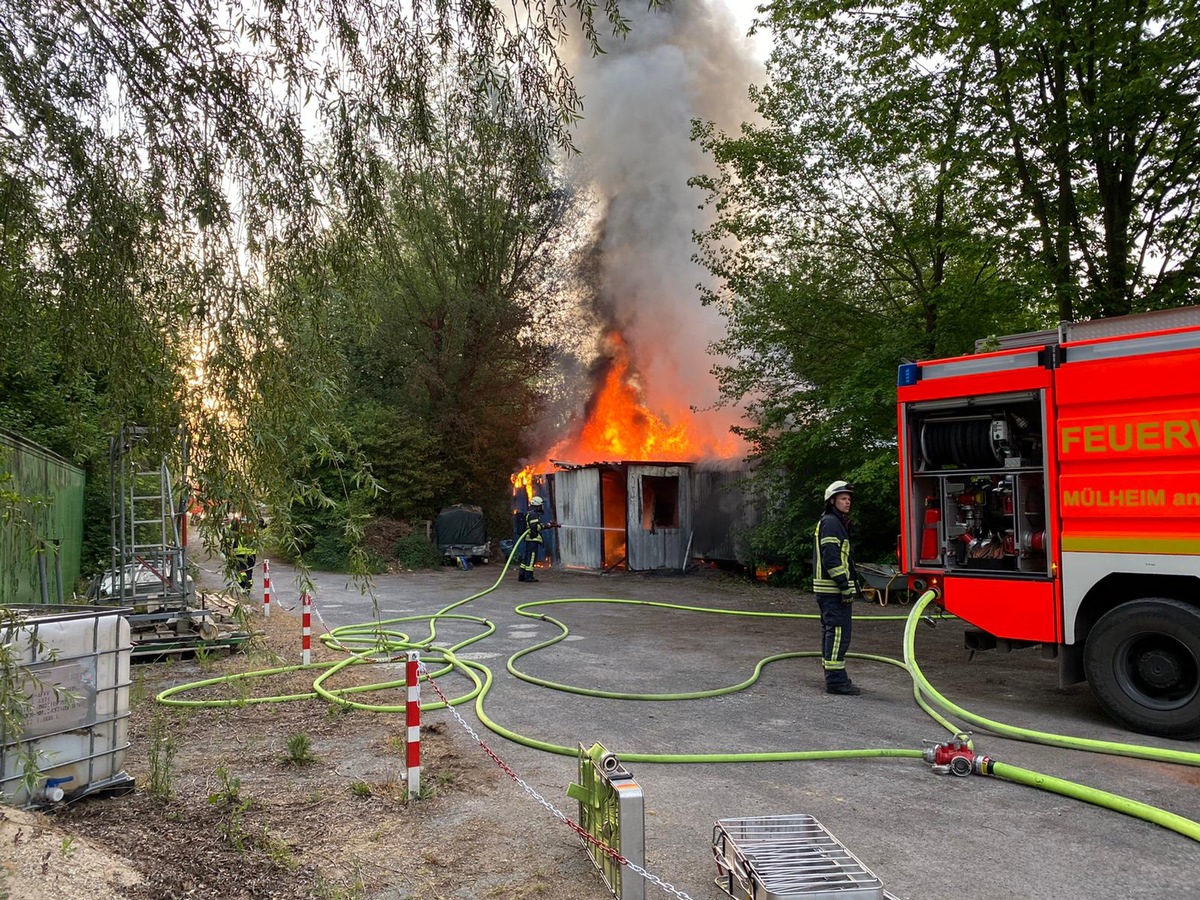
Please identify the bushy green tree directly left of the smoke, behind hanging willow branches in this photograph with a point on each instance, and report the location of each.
(455, 273)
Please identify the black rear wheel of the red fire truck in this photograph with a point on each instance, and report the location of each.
(1143, 663)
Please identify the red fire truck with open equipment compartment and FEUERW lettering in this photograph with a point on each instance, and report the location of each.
(1051, 493)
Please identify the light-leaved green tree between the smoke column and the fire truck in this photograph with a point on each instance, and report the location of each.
(842, 247)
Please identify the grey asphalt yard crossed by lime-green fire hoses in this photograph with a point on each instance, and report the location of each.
(926, 836)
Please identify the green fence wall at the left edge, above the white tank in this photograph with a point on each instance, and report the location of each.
(41, 523)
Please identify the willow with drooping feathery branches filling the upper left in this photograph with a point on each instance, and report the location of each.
(160, 179)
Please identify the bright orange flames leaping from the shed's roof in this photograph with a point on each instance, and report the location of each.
(621, 427)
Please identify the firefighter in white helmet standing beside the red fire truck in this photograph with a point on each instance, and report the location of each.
(836, 584)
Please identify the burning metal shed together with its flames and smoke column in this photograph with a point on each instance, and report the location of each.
(634, 479)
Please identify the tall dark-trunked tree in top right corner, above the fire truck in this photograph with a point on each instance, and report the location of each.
(1081, 116)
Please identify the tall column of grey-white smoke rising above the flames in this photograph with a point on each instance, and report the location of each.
(681, 63)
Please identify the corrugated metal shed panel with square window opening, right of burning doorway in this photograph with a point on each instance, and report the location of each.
(659, 525)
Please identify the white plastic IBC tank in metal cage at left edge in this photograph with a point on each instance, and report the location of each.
(73, 664)
